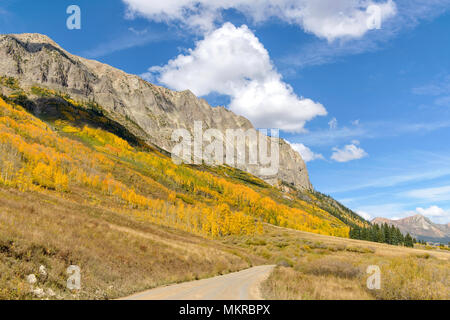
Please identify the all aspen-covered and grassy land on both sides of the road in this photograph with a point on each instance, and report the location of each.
(74, 193)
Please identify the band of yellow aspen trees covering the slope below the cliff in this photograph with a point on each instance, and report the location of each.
(141, 182)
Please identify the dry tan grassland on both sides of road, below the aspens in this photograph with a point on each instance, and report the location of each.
(119, 255)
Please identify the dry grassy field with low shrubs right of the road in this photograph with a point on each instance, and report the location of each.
(320, 267)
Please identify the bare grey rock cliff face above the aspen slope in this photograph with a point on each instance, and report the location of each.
(150, 112)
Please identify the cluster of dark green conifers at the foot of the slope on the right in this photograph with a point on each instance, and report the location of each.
(383, 234)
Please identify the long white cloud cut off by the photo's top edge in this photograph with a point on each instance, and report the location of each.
(328, 19)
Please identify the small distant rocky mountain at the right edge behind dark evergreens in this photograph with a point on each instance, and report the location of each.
(420, 227)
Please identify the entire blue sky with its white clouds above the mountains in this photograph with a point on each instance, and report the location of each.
(369, 108)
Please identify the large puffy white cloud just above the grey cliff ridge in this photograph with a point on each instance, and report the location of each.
(233, 62)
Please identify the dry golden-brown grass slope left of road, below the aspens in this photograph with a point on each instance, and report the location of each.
(117, 255)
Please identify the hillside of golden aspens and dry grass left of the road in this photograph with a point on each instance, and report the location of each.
(64, 182)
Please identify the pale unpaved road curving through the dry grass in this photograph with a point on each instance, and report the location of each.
(242, 285)
